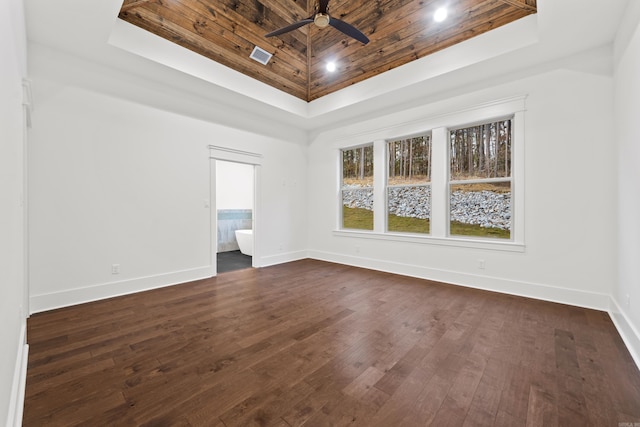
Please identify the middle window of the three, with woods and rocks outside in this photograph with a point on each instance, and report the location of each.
(409, 185)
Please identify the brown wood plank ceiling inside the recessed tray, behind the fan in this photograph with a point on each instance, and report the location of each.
(400, 31)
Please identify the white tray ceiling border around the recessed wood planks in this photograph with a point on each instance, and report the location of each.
(89, 29)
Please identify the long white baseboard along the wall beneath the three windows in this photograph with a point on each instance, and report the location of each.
(543, 292)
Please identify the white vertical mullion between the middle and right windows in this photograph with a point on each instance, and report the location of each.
(439, 181)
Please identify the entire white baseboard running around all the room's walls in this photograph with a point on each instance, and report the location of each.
(596, 301)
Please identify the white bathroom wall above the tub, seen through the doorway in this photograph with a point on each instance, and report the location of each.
(234, 185)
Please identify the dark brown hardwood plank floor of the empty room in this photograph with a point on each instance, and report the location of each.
(312, 343)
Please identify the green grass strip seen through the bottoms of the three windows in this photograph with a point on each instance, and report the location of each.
(362, 219)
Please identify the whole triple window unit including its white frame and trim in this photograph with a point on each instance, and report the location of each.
(456, 180)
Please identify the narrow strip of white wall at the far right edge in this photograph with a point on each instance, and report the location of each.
(626, 293)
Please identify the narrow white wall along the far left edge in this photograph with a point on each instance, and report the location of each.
(12, 225)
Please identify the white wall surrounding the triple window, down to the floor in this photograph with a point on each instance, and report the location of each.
(570, 211)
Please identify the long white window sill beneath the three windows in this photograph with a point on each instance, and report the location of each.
(461, 242)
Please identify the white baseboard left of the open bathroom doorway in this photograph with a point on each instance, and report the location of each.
(44, 302)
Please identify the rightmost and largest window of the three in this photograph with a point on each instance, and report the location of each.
(480, 180)
